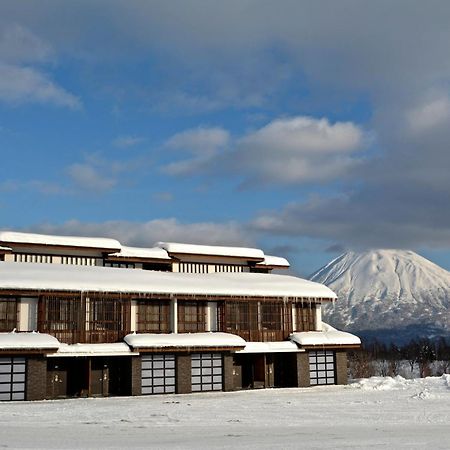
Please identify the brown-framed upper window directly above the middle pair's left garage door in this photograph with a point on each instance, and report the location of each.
(153, 316)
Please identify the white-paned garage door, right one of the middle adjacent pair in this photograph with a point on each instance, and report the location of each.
(206, 372)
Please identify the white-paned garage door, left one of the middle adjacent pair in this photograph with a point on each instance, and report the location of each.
(158, 374)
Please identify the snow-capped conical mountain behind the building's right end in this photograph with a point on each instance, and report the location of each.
(389, 294)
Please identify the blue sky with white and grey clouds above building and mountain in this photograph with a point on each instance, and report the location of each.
(302, 128)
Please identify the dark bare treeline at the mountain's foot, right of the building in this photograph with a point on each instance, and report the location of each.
(421, 358)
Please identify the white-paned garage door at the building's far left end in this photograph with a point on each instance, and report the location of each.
(12, 378)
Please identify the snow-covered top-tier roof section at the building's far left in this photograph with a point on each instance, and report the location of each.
(65, 241)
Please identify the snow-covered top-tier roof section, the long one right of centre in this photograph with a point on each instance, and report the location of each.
(212, 250)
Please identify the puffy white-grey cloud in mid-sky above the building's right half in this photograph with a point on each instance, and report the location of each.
(293, 150)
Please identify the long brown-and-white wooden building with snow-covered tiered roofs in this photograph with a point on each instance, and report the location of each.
(91, 317)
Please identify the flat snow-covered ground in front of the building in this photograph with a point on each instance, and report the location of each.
(371, 413)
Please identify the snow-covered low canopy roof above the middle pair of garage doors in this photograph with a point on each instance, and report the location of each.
(147, 340)
